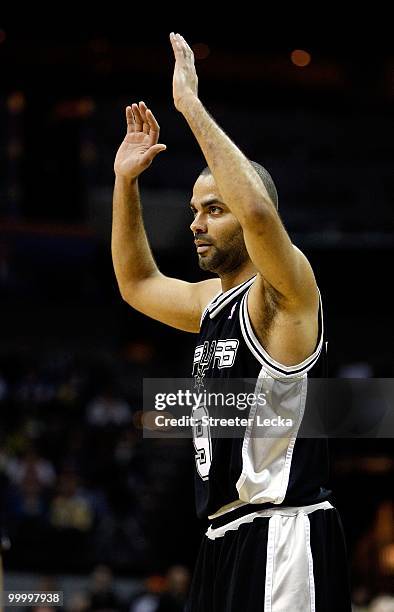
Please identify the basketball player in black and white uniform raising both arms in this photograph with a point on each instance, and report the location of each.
(274, 542)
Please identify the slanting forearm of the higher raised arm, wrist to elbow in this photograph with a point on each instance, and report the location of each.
(239, 185)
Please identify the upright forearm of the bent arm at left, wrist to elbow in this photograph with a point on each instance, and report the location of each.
(132, 258)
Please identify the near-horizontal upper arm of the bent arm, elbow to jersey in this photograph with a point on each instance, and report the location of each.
(174, 302)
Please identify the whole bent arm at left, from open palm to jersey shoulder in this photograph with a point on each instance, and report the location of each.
(174, 302)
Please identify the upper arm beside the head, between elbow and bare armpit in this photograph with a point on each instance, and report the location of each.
(279, 262)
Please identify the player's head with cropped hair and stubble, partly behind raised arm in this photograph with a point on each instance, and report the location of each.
(217, 233)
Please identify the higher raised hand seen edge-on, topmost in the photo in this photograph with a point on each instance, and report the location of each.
(185, 81)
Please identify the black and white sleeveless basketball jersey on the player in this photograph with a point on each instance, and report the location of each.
(238, 474)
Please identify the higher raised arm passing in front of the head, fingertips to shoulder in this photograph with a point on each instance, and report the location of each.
(280, 264)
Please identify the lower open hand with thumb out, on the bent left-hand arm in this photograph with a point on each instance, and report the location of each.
(140, 145)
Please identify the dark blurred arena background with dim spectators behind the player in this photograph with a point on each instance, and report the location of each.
(87, 504)
